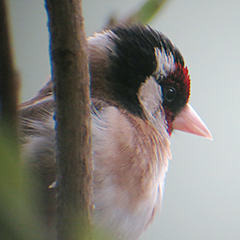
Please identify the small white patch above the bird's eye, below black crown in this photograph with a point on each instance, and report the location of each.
(165, 62)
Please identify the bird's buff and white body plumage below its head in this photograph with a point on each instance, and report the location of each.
(129, 156)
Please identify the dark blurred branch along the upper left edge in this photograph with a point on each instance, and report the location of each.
(8, 80)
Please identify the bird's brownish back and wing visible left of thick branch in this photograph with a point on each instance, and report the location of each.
(37, 135)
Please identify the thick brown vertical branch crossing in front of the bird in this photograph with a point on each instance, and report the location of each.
(71, 85)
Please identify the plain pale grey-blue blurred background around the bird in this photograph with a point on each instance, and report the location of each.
(202, 191)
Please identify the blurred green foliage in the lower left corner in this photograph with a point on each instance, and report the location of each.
(17, 219)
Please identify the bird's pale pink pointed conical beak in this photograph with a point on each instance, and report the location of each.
(189, 121)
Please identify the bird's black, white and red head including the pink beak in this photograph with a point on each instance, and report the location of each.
(140, 71)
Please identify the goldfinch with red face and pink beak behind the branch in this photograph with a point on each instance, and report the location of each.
(140, 89)
